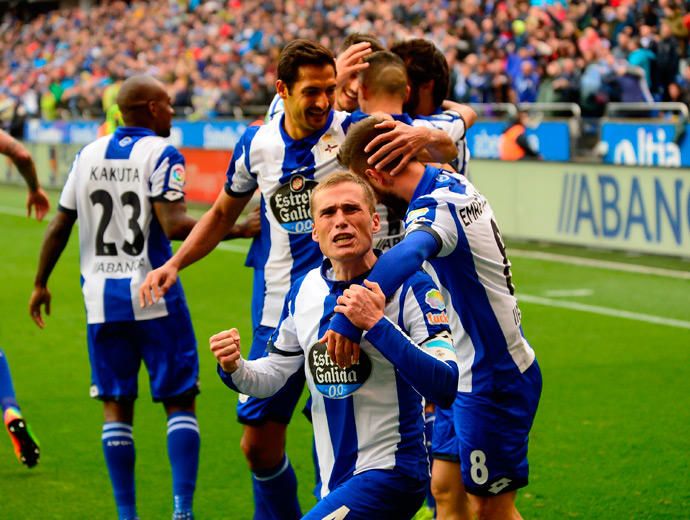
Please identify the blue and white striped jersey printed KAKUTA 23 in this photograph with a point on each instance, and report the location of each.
(111, 186)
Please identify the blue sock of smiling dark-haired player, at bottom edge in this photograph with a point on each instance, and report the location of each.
(275, 493)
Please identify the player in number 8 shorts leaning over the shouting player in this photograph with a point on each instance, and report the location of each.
(451, 225)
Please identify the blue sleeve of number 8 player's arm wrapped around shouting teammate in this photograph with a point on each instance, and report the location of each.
(391, 270)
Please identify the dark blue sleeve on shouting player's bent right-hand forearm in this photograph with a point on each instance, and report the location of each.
(435, 380)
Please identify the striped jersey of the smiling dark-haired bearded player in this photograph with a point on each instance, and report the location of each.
(286, 171)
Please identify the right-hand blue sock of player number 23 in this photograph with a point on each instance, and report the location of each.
(183, 452)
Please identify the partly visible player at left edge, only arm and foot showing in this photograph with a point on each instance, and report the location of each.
(25, 443)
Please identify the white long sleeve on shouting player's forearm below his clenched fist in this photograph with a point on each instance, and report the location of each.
(262, 377)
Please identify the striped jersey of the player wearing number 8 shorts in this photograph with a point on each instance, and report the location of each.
(473, 272)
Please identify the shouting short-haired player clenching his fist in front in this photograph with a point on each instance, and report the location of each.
(367, 419)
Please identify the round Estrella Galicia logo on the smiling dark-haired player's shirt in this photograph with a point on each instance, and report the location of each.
(290, 204)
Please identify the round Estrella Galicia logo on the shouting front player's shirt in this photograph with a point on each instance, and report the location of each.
(331, 380)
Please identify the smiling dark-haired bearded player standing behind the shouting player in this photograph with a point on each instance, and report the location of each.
(285, 158)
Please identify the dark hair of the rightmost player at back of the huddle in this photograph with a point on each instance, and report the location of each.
(424, 62)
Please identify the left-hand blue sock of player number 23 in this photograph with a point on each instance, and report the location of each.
(118, 448)
